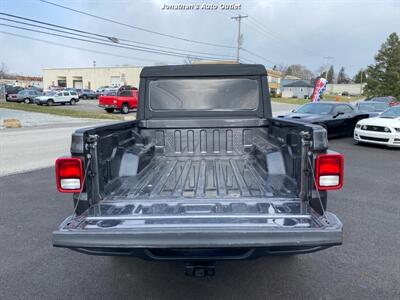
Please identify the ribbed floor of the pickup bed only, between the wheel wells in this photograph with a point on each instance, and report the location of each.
(202, 177)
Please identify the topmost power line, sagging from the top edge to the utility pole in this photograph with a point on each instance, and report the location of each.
(137, 27)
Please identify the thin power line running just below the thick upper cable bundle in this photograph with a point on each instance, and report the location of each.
(137, 48)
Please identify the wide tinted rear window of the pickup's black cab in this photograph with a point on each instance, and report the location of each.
(212, 94)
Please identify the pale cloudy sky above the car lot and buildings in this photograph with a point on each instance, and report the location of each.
(282, 32)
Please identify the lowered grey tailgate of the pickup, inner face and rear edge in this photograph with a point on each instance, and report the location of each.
(175, 224)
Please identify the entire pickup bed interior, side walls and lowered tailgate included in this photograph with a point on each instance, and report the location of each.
(210, 187)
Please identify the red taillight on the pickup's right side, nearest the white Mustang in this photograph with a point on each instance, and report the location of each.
(329, 171)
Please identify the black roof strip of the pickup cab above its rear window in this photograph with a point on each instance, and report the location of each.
(203, 70)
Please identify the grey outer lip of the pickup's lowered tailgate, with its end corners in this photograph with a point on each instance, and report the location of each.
(108, 240)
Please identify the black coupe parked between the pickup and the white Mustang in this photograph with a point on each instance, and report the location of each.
(339, 119)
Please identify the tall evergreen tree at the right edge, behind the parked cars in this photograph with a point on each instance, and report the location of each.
(383, 77)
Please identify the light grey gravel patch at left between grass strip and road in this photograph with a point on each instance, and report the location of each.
(29, 119)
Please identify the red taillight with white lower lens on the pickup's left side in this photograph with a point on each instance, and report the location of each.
(69, 174)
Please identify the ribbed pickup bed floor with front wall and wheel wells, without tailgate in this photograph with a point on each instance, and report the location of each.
(238, 162)
